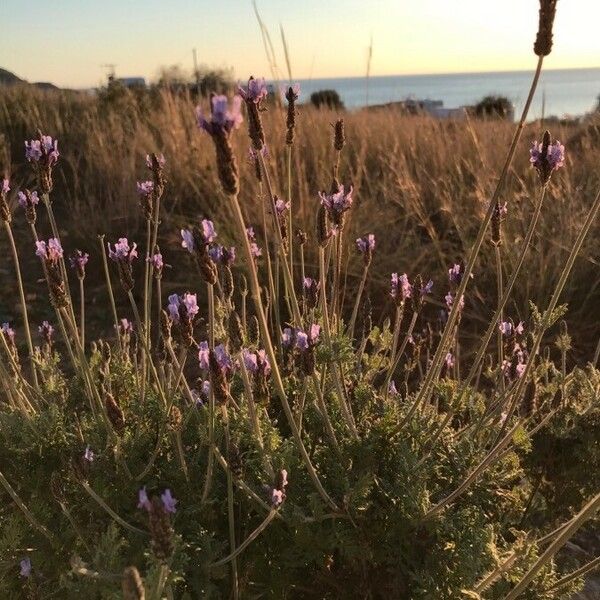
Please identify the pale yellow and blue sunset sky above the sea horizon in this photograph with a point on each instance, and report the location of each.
(66, 42)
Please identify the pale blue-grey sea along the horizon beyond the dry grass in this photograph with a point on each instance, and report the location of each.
(566, 91)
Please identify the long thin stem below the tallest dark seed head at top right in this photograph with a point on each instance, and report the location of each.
(437, 361)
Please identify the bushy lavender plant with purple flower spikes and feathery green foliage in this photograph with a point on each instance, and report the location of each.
(285, 446)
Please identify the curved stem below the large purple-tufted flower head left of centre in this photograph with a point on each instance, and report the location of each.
(255, 290)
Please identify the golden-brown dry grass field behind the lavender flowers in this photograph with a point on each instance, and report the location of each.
(420, 185)
